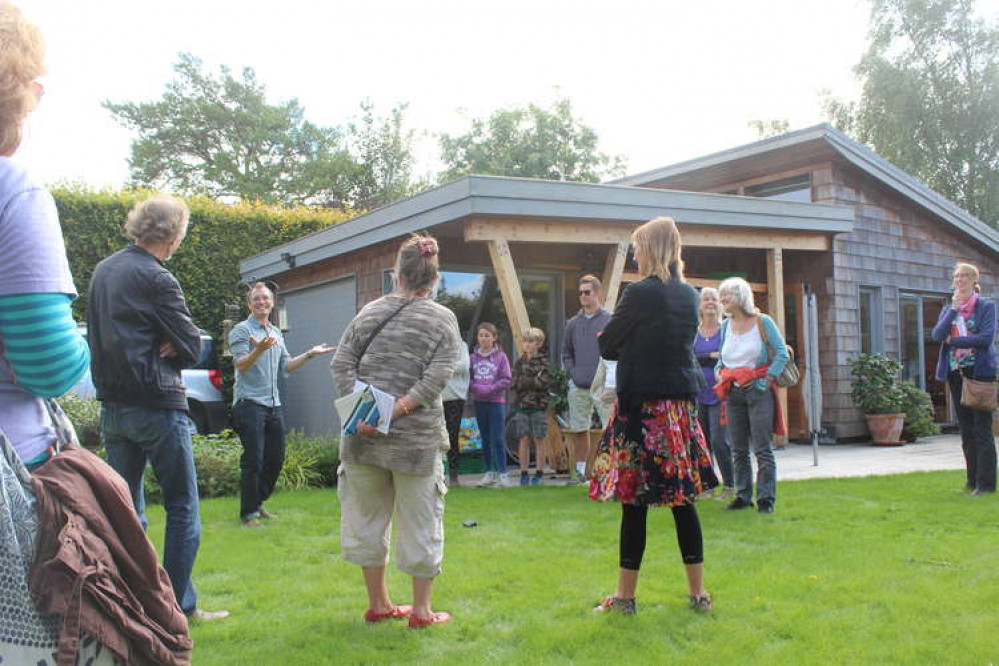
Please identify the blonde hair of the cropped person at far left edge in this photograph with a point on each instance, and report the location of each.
(21, 62)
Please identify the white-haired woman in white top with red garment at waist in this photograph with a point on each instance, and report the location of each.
(753, 354)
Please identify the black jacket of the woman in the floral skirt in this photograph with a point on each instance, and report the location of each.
(651, 334)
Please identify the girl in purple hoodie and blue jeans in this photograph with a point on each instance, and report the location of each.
(490, 370)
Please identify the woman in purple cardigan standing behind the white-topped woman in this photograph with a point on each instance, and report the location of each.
(707, 348)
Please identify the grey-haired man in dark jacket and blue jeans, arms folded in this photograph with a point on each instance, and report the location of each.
(141, 336)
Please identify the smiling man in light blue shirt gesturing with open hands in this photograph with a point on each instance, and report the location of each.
(260, 356)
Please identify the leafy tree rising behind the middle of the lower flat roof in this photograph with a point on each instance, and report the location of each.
(531, 142)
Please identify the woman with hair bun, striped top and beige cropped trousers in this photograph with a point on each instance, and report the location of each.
(407, 345)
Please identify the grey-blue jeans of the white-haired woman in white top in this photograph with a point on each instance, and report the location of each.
(750, 414)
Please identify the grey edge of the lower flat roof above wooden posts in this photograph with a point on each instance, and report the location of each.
(501, 197)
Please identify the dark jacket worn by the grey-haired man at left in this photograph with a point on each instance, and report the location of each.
(134, 305)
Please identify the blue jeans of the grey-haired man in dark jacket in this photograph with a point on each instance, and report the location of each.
(133, 435)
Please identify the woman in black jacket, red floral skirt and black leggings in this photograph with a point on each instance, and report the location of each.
(652, 452)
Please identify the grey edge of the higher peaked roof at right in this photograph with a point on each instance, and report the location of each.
(855, 153)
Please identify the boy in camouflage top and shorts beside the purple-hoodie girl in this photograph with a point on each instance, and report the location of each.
(530, 419)
